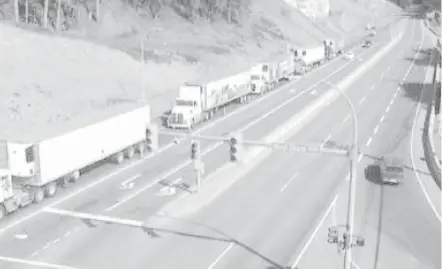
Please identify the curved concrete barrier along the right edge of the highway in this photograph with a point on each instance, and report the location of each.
(431, 158)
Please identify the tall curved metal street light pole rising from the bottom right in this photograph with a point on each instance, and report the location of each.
(349, 227)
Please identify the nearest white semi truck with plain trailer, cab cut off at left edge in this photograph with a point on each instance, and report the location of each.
(32, 170)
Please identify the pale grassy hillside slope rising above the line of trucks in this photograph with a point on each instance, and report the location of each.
(56, 77)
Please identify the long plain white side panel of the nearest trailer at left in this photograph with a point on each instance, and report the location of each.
(80, 148)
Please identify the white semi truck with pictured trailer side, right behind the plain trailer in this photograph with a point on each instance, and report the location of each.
(198, 102)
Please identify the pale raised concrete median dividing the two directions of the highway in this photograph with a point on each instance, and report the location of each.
(233, 172)
